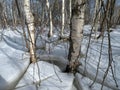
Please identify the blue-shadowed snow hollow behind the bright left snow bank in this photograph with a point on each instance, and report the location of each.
(14, 39)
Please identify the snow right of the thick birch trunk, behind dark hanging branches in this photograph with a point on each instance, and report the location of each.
(93, 59)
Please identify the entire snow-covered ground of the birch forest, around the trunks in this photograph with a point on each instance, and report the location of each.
(47, 76)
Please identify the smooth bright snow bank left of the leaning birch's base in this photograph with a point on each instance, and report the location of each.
(13, 64)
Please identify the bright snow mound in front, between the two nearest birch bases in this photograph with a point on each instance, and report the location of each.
(45, 76)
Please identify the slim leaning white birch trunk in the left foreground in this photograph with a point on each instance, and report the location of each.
(31, 28)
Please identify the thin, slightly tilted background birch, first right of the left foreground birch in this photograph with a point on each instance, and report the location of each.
(50, 19)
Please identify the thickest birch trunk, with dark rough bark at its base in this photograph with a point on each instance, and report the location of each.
(77, 22)
